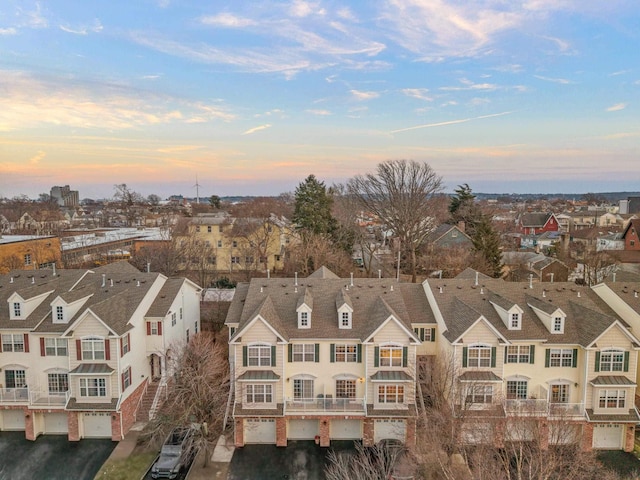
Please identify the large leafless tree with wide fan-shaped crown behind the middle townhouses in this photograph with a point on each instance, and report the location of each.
(402, 194)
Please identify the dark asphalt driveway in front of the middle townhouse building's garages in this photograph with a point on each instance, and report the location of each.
(300, 460)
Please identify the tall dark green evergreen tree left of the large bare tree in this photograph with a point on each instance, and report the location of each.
(312, 212)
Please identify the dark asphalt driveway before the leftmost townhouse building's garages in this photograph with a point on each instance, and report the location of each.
(51, 457)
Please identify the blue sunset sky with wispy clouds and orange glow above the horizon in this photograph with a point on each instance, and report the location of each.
(251, 97)
